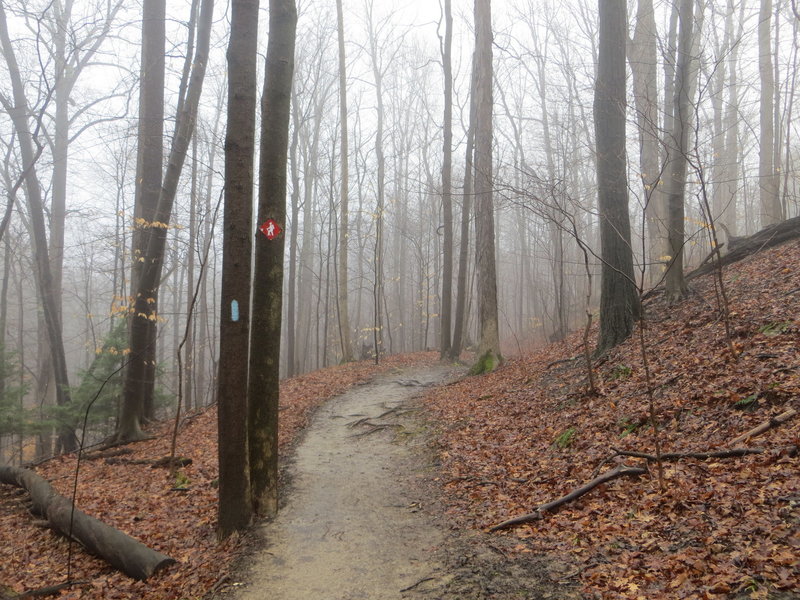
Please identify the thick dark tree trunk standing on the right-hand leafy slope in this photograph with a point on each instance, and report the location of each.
(618, 300)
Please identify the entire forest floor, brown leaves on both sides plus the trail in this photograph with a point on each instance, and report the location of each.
(485, 449)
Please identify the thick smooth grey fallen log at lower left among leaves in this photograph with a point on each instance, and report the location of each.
(122, 551)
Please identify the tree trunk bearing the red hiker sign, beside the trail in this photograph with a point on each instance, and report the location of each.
(263, 392)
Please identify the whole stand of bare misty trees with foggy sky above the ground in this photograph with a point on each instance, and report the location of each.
(464, 182)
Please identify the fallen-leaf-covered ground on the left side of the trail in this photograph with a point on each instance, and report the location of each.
(144, 502)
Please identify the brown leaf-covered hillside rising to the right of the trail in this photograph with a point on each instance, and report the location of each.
(529, 433)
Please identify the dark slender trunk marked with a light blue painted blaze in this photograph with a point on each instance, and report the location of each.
(235, 509)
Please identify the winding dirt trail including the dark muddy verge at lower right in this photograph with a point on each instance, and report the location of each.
(363, 518)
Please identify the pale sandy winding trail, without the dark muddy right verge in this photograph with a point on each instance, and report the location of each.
(352, 527)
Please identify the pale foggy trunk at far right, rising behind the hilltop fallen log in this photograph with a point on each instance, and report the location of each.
(768, 181)
